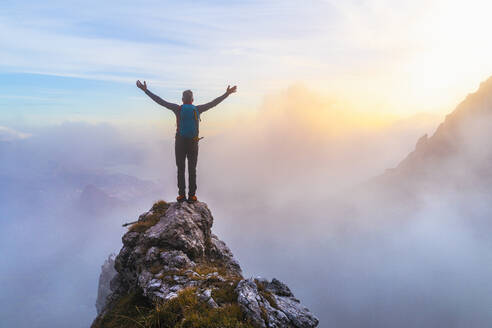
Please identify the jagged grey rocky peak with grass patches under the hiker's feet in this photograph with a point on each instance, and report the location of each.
(173, 272)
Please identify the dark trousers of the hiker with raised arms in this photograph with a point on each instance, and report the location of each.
(186, 148)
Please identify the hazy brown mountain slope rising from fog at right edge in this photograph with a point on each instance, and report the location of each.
(457, 155)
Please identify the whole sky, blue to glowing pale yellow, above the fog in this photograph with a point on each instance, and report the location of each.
(78, 61)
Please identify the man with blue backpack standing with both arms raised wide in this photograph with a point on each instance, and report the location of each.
(186, 142)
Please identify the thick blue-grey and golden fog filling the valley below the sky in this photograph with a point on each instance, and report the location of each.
(295, 191)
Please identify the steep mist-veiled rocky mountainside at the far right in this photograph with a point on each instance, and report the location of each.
(461, 140)
